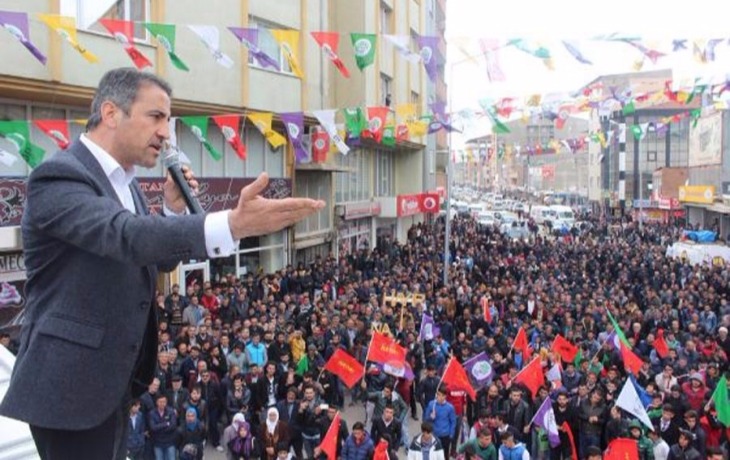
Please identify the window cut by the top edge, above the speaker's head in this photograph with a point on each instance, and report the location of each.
(88, 13)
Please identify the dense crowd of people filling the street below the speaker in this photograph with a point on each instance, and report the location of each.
(241, 360)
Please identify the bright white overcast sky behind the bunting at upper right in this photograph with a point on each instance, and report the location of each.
(547, 23)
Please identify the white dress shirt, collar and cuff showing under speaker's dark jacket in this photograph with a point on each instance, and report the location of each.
(218, 239)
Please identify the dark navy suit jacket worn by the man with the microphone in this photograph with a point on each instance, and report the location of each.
(92, 268)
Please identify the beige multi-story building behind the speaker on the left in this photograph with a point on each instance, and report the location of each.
(361, 189)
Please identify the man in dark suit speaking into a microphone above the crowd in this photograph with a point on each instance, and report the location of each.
(92, 254)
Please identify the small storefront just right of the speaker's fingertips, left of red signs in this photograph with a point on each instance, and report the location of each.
(356, 229)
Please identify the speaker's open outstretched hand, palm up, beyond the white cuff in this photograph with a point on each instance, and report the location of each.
(256, 215)
